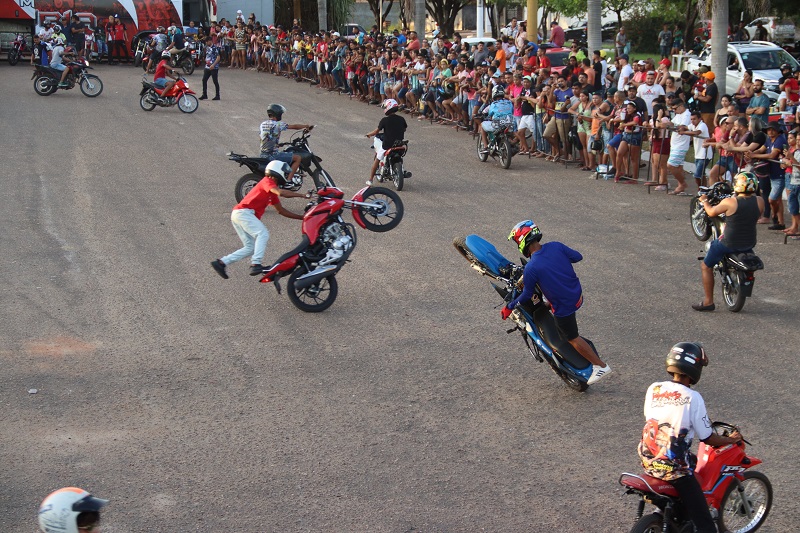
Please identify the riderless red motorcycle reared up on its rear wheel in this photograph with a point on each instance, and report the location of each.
(328, 242)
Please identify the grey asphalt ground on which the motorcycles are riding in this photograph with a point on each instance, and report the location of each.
(199, 404)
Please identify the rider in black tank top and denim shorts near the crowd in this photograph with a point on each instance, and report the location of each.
(741, 216)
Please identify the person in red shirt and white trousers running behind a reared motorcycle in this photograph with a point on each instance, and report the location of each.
(246, 218)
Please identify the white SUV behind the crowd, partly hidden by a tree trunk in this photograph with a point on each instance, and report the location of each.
(763, 58)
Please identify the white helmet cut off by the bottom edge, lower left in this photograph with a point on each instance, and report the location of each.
(67, 509)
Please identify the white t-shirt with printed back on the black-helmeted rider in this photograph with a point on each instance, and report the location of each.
(675, 414)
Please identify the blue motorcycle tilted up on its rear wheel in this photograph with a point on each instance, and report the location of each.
(532, 319)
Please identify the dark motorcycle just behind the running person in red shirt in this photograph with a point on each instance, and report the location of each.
(298, 144)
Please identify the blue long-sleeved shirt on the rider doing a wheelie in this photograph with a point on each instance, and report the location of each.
(551, 268)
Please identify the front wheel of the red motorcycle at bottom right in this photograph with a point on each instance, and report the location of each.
(731, 513)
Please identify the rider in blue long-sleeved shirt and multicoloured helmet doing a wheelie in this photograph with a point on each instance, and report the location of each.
(550, 266)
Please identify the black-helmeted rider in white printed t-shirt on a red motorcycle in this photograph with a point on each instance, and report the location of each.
(675, 414)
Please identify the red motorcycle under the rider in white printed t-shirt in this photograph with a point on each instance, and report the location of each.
(739, 499)
